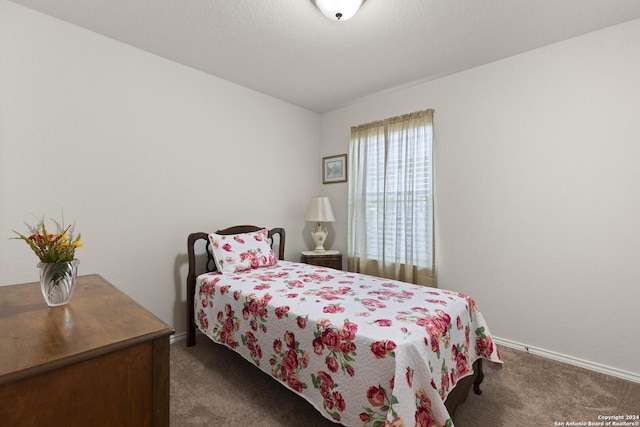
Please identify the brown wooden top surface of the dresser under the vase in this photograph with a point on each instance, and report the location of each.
(99, 319)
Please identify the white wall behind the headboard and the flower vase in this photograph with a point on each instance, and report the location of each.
(138, 151)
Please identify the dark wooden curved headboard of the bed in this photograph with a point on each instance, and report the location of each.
(210, 265)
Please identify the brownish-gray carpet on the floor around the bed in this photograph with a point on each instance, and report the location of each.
(213, 386)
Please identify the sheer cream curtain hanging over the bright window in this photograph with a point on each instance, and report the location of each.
(390, 229)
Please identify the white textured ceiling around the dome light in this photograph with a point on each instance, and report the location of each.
(289, 50)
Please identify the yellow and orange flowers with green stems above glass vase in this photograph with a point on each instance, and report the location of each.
(52, 247)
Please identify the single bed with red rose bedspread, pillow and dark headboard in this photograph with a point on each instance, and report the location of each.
(364, 351)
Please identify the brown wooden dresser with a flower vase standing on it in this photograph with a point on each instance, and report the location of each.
(101, 360)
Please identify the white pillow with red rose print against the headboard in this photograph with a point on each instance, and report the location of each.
(238, 252)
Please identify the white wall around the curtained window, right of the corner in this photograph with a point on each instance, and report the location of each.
(537, 191)
